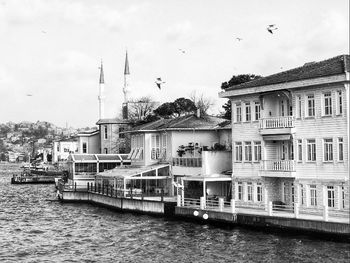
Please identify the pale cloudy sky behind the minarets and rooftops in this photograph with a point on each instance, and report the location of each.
(52, 50)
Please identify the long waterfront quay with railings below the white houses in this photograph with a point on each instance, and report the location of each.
(173, 207)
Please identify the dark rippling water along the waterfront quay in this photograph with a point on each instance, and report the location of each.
(33, 228)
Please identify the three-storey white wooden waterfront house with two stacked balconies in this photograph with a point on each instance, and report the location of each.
(290, 136)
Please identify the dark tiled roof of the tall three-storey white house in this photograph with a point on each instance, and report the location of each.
(333, 66)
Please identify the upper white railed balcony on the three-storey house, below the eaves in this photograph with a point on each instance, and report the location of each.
(277, 125)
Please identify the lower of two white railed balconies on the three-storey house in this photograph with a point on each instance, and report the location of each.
(277, 168)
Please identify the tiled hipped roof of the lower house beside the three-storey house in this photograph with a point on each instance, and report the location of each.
(181, 123)
